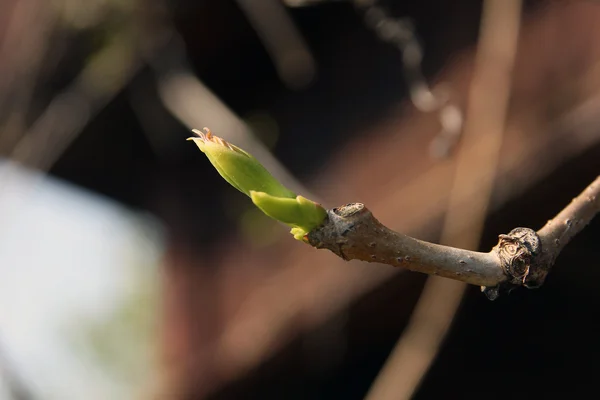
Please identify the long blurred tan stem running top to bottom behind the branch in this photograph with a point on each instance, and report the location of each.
(488, 103)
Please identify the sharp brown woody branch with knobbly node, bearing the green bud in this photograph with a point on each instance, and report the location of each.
(521, 258)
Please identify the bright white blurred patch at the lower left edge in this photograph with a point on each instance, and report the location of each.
(78, 291)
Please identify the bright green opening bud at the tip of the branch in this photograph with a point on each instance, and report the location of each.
(247, 175)
